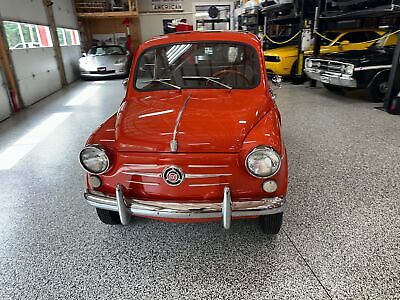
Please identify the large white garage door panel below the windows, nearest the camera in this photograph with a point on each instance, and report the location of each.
(37, 73)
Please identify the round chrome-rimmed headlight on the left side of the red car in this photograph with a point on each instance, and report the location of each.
(94, 159)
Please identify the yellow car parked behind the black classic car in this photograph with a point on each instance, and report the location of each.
(283, 61)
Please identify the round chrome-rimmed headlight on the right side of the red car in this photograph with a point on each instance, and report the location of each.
(263, 162)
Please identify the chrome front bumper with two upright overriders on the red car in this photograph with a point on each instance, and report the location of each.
(172, 210)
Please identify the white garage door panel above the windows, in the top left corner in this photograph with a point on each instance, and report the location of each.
(29, 11)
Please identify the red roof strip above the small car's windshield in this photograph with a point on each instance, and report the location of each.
(213, 35)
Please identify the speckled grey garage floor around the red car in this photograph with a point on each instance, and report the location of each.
(341, 232)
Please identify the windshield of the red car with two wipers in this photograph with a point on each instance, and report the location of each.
(200, 65)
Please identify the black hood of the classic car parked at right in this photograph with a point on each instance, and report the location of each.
(358, 57)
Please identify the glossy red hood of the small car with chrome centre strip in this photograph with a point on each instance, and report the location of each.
(210, 121)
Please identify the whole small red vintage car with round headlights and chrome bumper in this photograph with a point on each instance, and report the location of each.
(197, 137)
